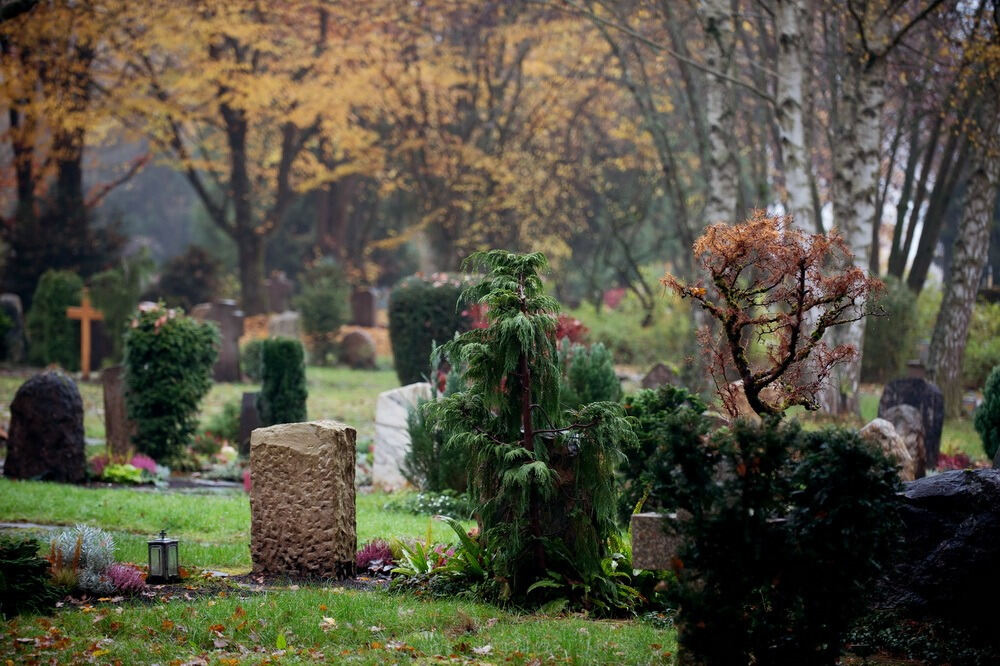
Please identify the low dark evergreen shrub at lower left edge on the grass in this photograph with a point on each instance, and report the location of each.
(24, 577)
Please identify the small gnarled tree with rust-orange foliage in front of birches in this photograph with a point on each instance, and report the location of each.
(773, 285)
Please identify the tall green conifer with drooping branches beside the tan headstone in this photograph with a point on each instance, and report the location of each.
(544, 478)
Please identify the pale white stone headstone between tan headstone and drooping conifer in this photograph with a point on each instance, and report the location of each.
(392, 435)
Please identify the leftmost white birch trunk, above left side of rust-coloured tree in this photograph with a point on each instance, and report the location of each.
(723, 179)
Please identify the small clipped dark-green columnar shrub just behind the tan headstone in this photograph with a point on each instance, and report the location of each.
(283, 382)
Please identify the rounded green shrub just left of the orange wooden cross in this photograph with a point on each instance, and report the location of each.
(53, 337)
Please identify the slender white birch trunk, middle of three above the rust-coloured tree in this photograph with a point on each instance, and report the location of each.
(789, 18)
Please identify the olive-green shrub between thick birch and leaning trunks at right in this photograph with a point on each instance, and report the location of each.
(889, 338)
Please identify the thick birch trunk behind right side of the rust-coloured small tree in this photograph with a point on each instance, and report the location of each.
(855, 187)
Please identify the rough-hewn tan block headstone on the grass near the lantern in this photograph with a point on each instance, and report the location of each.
(302, 514)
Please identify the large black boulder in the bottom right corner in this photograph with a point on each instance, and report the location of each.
(948, 562)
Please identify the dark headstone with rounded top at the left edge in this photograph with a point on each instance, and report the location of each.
(45, 440)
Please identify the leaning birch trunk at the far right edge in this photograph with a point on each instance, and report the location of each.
(971, 246)
